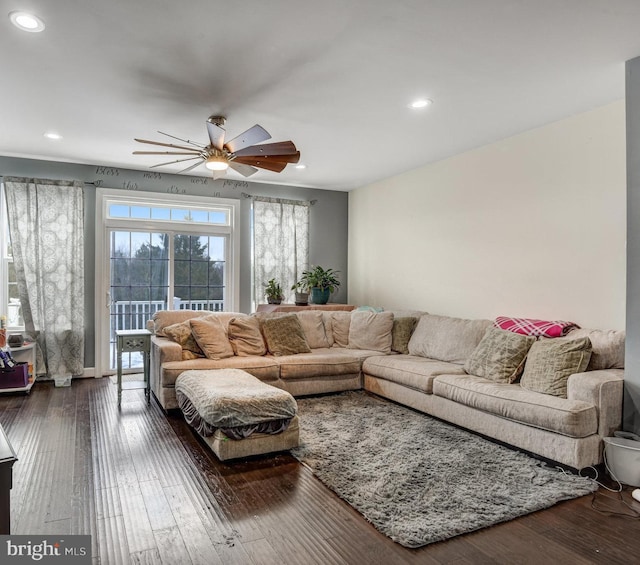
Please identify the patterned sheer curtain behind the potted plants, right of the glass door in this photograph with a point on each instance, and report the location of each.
(280, 243)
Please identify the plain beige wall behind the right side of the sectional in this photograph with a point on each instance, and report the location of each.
(533, 225)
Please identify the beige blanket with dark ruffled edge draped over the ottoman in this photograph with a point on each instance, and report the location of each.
(233, 401)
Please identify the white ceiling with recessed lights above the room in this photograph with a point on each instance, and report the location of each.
(334, 76)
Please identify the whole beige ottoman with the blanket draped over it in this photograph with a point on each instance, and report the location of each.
(236, 414)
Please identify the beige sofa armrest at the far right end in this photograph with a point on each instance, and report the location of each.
(603, 389)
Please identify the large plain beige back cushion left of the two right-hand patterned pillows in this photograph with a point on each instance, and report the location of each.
(447, 339)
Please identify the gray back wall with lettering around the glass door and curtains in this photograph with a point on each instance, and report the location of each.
(328, 217)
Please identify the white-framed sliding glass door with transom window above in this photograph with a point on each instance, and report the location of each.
(153, 255)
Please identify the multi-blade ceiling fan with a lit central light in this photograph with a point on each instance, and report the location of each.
(244, 153)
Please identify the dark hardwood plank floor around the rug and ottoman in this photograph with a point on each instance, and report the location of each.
(148, 491)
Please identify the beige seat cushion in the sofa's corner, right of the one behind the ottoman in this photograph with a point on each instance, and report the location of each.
(318, 363)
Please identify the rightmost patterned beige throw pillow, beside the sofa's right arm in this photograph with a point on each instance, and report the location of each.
(550, 362)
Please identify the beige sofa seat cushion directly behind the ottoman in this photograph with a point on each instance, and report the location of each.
(264, 368)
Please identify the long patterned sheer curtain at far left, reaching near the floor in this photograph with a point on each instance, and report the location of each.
(46, 224)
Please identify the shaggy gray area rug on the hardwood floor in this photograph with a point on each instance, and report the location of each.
(417, 479)
